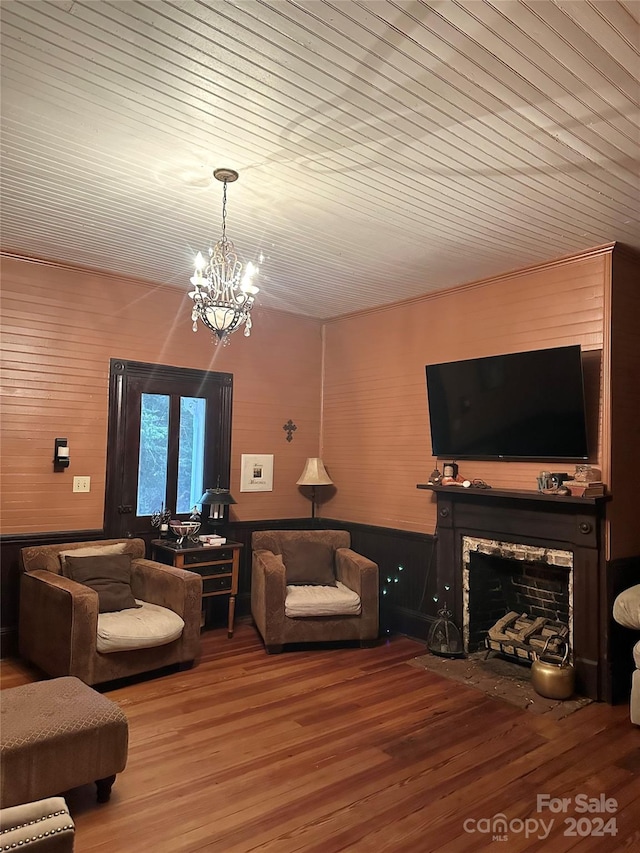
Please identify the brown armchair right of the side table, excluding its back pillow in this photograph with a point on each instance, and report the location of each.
(272, 598)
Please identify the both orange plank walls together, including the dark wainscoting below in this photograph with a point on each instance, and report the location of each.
(355, 389)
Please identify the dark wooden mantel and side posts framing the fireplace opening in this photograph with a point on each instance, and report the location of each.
(541, 524)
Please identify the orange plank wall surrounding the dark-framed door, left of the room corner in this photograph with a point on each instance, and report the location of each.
(60, 327)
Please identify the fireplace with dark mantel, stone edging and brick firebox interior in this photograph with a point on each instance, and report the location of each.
(541, 540)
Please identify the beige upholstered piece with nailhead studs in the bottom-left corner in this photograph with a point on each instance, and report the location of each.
(44, 825)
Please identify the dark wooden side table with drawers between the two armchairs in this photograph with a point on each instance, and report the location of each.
(218, 564)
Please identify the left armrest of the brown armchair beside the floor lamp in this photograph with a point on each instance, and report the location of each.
(268, 591)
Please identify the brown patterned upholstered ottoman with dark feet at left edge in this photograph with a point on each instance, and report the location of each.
(56, 735)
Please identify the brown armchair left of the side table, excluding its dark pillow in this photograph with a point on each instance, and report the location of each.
(62, 632)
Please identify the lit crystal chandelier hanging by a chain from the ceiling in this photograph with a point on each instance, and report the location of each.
(222, 294)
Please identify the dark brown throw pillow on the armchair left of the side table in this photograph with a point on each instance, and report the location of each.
(109, 575)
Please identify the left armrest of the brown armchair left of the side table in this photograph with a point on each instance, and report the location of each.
(58, 623)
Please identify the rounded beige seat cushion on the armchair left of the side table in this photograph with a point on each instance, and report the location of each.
(140, 628)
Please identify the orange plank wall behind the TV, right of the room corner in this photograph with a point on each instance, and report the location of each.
(376, 439)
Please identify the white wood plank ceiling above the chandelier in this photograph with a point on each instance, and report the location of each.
(385, 149)
